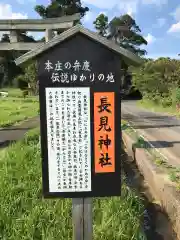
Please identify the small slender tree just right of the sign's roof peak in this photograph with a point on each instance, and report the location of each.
(101, 24)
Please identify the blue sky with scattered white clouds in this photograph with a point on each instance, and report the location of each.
(159, 20)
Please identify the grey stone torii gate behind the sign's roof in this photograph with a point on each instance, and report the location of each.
(48, 25)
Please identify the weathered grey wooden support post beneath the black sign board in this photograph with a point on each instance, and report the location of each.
(82, 218)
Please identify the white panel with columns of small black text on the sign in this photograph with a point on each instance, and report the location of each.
(69, 139)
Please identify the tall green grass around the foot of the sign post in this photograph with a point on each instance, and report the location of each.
(24, 214)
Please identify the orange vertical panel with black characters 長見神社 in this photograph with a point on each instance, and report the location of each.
(104, 129)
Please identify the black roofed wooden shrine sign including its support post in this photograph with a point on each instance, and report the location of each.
(80, 117)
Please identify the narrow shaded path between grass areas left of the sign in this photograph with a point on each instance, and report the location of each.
(15, 133)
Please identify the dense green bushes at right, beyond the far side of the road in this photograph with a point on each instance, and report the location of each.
(159, 82)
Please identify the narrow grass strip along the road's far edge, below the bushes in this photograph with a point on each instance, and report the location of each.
(144, 103)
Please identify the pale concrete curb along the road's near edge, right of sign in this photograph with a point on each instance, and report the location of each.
(160, 189)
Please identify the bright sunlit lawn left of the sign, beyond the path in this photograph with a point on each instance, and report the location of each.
(14, 108)
